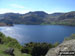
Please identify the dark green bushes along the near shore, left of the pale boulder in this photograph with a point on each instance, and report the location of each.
(37, 49)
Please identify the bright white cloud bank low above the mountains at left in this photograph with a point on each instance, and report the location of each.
(6, 10)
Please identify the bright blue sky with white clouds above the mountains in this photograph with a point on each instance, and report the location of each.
(24, 6)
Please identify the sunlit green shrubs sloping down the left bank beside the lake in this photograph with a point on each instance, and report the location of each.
(10, 42)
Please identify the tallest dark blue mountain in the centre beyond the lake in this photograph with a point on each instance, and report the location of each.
(34, 17)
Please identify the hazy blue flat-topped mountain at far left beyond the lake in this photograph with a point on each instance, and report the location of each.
(10, 18)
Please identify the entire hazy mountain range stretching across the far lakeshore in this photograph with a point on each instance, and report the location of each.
(38, 18)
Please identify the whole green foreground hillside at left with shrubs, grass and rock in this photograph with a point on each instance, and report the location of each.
(10, 47)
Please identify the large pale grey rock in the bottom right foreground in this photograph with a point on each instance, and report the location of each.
(65, 46)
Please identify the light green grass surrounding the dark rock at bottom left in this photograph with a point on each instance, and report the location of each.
(16, 52)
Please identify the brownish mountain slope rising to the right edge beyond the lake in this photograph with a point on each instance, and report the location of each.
(67, 18)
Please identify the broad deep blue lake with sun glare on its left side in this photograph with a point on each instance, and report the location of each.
(38, 33)
